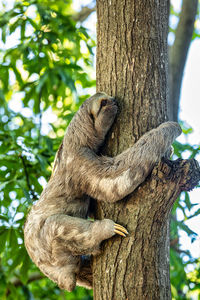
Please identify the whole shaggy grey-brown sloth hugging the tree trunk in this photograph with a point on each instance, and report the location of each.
(58, 235)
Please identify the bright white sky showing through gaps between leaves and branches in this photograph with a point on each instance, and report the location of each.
(189, 112)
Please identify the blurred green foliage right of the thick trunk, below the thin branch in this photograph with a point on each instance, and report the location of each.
(180, 259)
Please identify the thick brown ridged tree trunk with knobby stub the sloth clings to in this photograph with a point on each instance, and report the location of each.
(132, 66)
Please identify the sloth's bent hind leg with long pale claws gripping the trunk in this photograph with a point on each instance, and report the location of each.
(79, 236)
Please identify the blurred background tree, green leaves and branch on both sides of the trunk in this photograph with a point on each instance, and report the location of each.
(46, 69)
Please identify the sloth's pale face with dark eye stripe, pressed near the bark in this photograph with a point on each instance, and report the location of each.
(103, 110)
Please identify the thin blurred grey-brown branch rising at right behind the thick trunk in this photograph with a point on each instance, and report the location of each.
(178, 54)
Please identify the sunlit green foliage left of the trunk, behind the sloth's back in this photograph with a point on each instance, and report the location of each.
(42, 67)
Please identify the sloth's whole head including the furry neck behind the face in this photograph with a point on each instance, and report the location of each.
(92, 121)
